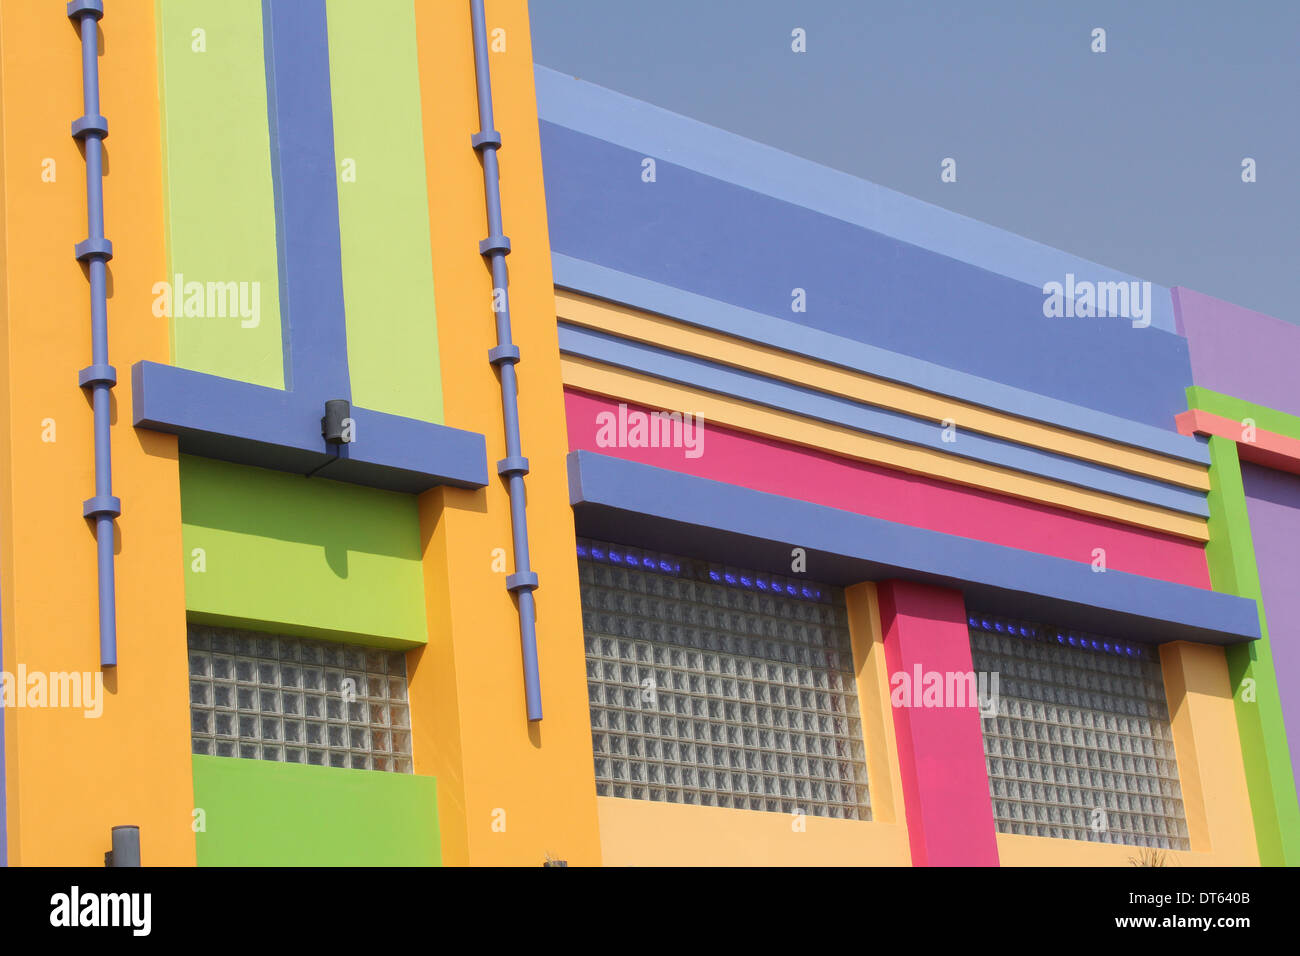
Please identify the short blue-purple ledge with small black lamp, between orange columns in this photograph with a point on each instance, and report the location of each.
(272, 429)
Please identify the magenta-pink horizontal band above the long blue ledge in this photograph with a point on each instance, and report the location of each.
(778, 468)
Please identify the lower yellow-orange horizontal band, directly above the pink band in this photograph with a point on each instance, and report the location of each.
(643, 390)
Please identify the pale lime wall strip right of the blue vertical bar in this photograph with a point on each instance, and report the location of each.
(384, 213)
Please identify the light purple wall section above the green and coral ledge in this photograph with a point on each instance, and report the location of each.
(1241, 353)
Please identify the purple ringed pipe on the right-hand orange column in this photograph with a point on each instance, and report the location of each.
(514, 466)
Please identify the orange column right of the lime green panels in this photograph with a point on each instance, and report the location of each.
(509, 793)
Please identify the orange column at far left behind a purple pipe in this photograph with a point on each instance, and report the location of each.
(71, 778)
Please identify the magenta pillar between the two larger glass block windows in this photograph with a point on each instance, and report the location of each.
(941, 747)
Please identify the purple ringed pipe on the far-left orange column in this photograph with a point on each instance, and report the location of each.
(99, 377)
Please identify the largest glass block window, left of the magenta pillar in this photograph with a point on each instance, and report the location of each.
(721, 687)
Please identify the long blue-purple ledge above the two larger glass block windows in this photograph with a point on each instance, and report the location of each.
(665, 511)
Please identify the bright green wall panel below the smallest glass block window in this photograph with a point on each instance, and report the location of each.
(263, 814)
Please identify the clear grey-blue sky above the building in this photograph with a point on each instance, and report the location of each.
(1132, 158)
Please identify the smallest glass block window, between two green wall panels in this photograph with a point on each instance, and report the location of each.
(267, 697)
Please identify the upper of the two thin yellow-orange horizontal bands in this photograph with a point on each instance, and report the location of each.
(799, 370)
